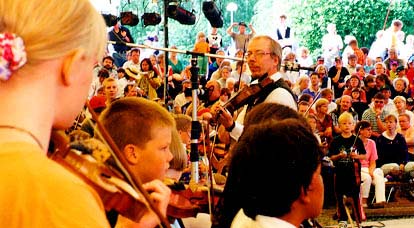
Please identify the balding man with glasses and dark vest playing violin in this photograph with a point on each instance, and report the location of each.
(264, 56)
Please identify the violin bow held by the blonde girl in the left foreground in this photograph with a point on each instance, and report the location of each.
(135, 182)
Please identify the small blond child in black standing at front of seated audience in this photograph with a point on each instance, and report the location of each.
(346, 150)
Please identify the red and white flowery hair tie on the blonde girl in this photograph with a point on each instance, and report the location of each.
(12, 54)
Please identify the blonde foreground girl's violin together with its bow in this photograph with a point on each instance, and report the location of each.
(114, 184)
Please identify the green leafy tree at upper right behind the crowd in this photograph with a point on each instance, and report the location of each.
(360, 18)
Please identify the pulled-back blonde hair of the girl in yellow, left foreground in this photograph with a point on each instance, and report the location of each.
(52, 29)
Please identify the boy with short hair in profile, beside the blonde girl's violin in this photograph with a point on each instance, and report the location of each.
(142, 130)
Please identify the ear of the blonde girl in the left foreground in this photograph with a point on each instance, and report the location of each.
(70, 64)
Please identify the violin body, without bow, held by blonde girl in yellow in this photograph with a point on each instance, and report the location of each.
(115, 192)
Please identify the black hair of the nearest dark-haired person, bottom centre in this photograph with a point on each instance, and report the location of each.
(252, 162)
